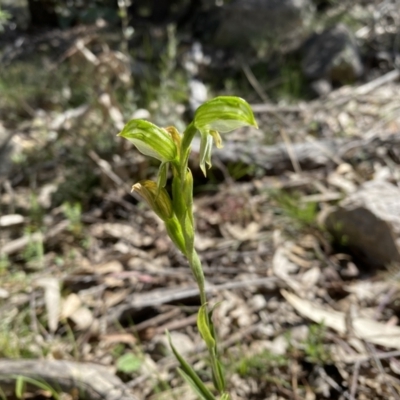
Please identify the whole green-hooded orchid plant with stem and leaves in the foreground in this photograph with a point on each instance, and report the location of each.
(221, 114)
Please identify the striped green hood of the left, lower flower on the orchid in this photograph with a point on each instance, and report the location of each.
(150, 140)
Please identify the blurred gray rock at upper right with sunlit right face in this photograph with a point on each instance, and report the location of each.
(333, 55)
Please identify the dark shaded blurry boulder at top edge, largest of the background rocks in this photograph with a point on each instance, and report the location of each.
(244, 23)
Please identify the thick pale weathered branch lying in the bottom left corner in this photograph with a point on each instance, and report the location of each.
(94, 381)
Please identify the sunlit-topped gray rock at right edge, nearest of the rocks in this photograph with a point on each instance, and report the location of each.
(368, 221)
